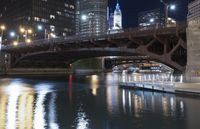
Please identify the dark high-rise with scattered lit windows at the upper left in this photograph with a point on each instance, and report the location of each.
(56, 16)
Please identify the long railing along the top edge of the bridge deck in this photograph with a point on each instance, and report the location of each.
(84, 38)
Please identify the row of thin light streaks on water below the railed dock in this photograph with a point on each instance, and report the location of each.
(136, 102)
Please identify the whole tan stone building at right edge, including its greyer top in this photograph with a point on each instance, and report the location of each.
(193, 42)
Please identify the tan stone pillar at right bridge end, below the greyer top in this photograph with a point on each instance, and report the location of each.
(193, 51)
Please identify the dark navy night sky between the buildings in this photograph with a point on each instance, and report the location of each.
(130, 9)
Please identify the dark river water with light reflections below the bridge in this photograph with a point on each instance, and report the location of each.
(91, 102)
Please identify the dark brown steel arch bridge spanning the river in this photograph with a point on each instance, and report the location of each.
(165, 45)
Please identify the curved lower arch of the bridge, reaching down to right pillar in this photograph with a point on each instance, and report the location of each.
(82, 53)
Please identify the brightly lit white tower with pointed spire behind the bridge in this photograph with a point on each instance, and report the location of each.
(117, 17)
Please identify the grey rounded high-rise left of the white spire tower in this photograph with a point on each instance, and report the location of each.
(91, 17)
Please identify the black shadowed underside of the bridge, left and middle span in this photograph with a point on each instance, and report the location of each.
(62, 59)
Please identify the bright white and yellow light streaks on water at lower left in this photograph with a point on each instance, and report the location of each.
(18, 110)
